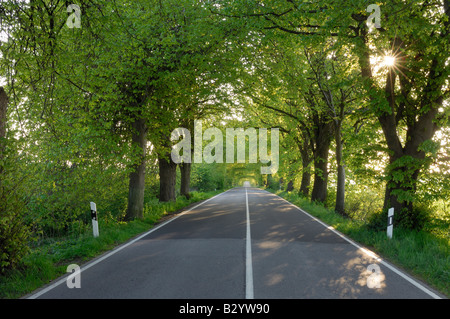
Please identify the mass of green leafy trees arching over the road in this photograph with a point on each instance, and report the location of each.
(92, 91)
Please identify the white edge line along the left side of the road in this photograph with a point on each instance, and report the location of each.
(116, 250)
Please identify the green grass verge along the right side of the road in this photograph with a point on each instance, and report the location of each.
(424, 254)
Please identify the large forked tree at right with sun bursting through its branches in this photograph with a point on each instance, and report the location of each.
(417, 34)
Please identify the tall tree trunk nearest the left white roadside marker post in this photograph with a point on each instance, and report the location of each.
(135, 208)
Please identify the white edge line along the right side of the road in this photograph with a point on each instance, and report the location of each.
(368, 252)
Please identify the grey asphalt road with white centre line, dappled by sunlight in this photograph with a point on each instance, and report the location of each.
(242, 244)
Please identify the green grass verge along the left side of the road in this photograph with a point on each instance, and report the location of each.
(49, 259)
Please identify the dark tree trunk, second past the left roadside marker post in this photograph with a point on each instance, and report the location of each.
(167, 179)
